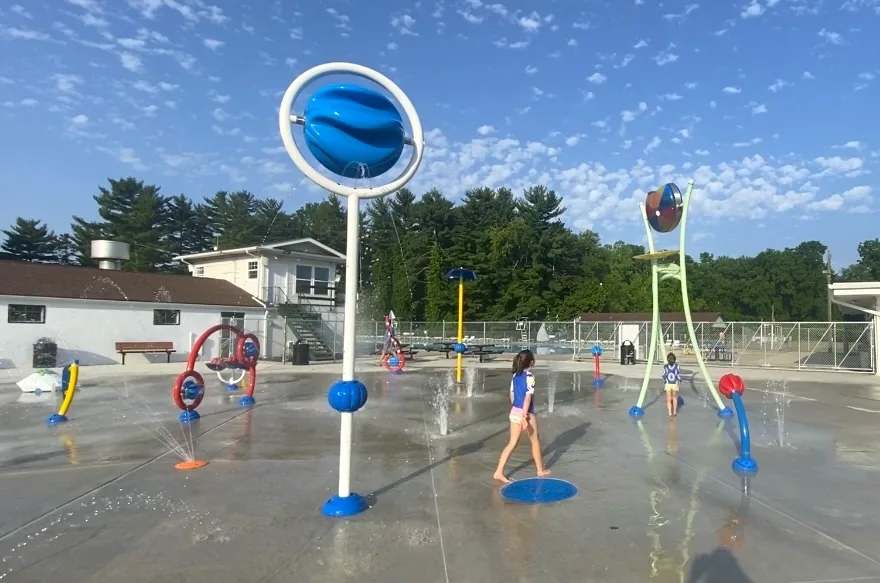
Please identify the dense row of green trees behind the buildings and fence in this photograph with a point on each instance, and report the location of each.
(529, 264)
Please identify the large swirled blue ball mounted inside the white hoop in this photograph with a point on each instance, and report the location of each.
(353, 131)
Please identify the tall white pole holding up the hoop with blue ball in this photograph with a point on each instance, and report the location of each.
(349, 336)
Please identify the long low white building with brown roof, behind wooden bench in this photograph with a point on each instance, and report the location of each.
(86, 311)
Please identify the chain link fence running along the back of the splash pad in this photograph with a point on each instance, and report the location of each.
(783, 345)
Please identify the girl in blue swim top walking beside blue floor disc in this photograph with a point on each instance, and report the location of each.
(522, 414)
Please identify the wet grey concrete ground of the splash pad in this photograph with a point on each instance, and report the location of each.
(99, 500)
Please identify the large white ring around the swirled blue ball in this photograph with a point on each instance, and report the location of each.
(285, 119)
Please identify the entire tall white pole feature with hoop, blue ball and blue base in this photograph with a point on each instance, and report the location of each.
(357, 133)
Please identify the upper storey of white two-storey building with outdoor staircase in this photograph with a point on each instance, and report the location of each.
(289, 272)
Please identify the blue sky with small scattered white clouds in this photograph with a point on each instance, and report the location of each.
(770, 106)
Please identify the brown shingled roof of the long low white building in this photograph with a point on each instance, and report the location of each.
(20, 278)
